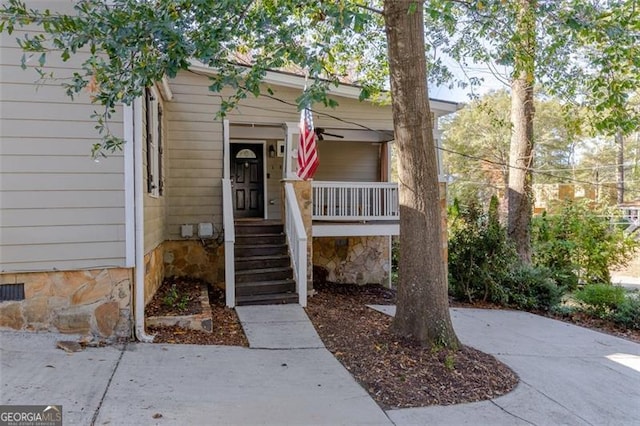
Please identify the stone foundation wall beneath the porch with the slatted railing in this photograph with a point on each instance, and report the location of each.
(353, 260)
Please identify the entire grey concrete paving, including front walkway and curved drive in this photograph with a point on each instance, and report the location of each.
(569, 375)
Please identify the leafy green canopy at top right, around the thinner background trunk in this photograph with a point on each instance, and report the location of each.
(587, 52)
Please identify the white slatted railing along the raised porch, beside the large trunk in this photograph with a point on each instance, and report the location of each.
(355, 201)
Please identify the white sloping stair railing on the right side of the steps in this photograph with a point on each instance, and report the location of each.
(297, 240)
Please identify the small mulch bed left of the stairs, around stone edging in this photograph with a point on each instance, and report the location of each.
(226, 326)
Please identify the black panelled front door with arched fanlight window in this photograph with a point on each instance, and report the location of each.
(247, 180)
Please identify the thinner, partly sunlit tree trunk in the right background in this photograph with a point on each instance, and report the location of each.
(519, 193)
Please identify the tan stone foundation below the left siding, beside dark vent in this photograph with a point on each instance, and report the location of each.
(96, 301)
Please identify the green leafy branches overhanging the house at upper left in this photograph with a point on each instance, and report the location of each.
(134, 43)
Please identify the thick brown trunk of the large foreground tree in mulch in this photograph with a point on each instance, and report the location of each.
(423, 304)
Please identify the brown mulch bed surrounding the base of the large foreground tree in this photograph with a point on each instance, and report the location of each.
(396, 372)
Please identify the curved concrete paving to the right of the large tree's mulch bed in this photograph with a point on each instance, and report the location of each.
(568, 375)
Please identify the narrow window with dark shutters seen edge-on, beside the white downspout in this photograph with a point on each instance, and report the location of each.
(155, 183)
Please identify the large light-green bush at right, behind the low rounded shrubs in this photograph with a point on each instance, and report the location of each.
(580, 245)
